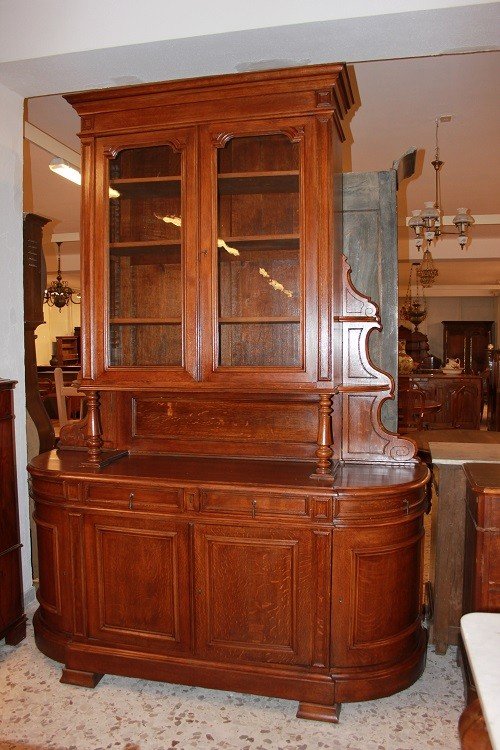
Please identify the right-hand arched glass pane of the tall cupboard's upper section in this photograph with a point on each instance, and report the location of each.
(259, 275)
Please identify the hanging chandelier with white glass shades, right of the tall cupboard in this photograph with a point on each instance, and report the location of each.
(428, 223)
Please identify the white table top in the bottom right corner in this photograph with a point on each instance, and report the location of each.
(481, 636)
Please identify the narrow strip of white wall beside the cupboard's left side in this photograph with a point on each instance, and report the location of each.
(11, 292)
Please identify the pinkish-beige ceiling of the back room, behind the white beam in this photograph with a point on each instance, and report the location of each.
(397, 103)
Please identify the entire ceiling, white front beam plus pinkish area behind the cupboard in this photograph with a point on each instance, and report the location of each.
(411, 61)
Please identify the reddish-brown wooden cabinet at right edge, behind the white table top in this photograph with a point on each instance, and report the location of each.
(482, 539)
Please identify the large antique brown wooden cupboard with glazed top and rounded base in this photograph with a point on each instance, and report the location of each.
(232, 513)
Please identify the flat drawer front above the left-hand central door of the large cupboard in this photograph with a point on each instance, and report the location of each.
(134, 497)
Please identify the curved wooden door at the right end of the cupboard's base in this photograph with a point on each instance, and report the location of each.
(377, 600)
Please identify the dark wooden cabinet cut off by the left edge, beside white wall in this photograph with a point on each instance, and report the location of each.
(12, 617)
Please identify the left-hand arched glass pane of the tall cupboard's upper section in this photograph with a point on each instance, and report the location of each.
(145, 258)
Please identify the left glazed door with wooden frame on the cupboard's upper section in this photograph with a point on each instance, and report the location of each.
(143, 261)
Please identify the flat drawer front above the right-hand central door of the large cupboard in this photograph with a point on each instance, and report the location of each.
(255, 504)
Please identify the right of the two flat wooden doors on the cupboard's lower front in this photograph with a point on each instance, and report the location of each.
(261, 594)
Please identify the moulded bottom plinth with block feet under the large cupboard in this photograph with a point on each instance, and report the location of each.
(319, 693)
